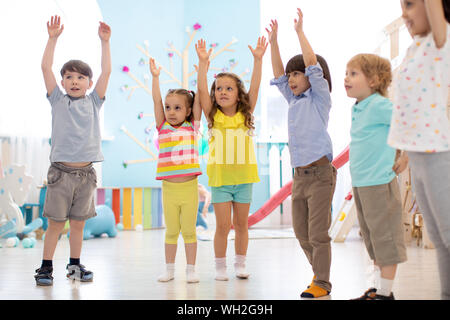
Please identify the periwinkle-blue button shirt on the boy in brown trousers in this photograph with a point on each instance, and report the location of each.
(308, 118)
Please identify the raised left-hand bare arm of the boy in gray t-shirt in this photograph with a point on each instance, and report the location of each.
(54, 29)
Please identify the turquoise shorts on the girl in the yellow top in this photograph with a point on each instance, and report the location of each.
(241, 193)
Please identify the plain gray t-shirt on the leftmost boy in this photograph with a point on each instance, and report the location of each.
(75, 127)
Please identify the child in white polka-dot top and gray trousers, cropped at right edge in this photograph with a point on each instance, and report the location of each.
(420, 125)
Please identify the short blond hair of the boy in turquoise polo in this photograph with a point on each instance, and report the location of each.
(375, 68)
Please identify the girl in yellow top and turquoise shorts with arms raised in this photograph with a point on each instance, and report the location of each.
(231, 167)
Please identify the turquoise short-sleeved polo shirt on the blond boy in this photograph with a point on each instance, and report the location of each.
(371, 158)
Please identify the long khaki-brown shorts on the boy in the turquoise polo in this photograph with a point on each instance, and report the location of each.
(379, 211)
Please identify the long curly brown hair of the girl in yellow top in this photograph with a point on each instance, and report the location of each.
(243, 103)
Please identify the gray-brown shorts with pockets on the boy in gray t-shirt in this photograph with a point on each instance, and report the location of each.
(70, 193)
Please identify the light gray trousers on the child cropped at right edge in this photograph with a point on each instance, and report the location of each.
(430, 175)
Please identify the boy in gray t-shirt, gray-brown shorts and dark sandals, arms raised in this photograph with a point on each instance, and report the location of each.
(76, 144)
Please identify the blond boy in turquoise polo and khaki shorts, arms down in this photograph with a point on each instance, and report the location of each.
(373, 168)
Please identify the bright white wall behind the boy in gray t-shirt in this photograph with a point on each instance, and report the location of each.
(24, 109)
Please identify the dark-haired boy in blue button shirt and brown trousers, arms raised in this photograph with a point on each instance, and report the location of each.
(306, 85)
